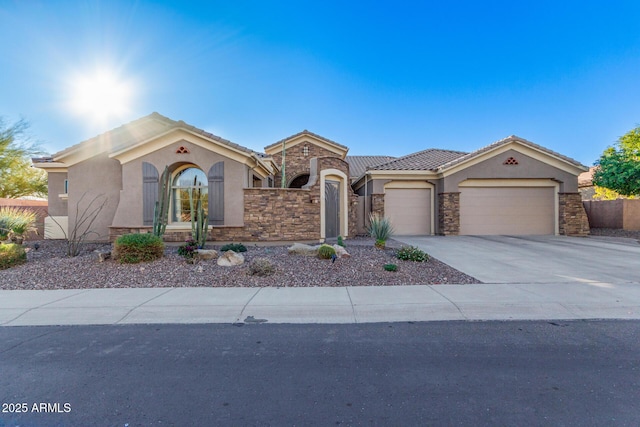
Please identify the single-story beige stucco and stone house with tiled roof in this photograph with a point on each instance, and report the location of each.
(510, 187)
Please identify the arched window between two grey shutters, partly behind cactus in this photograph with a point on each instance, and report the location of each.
(188, 186)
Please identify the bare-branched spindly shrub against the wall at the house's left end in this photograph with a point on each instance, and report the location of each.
(78, 233)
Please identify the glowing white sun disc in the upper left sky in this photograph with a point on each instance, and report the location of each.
(100, 96)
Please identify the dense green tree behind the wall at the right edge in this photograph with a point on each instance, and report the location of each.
(619, 166)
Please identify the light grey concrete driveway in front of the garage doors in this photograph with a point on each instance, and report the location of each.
(536, 259)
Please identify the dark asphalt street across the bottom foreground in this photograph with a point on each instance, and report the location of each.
(571, 373)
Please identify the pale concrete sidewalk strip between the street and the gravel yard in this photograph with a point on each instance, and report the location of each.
(357, 304)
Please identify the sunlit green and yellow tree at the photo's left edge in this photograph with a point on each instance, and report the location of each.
(17, 177)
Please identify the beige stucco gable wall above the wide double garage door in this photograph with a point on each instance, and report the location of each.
(527, 168)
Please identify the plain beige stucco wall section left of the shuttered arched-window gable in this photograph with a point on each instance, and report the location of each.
(96, 178)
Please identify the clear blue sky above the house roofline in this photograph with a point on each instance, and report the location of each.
(380, 77)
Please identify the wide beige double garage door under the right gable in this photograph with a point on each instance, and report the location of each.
(507, 210)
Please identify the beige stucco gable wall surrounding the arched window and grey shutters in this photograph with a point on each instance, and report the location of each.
(129, 213)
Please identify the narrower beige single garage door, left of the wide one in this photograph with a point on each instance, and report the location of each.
(409, 210)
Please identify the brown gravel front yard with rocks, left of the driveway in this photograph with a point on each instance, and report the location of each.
(49, 268)
